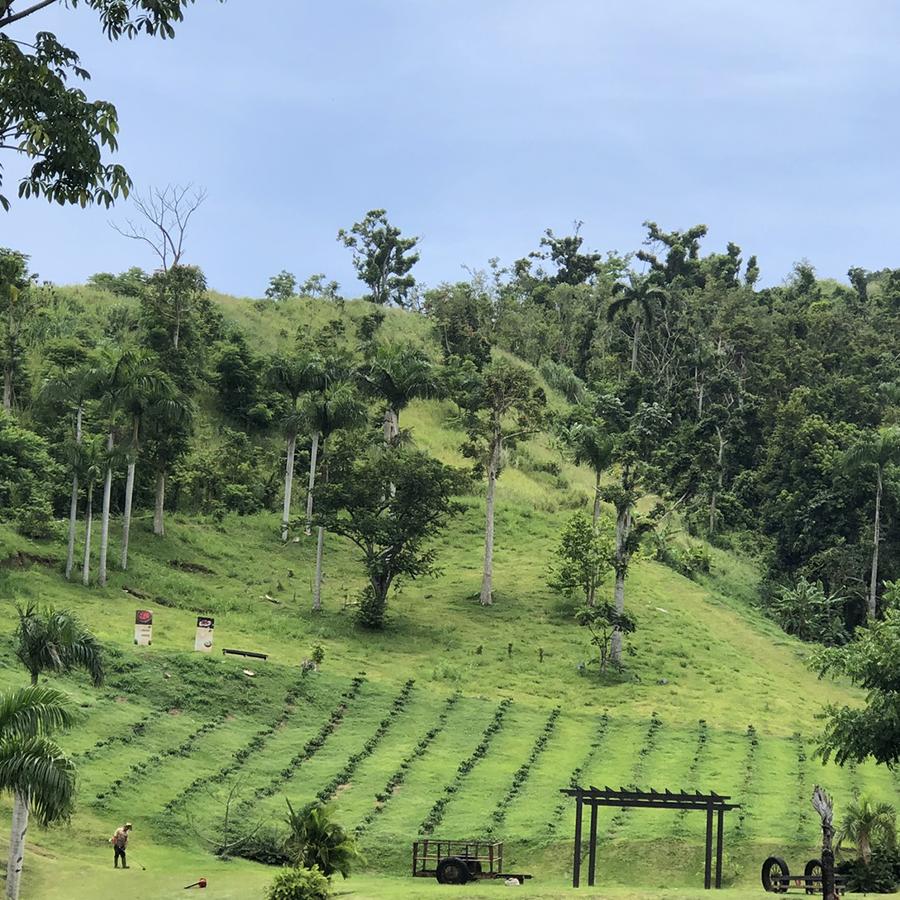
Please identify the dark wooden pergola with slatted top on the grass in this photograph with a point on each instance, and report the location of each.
(715, 806)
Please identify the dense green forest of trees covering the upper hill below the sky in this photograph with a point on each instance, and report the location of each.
(765, 419)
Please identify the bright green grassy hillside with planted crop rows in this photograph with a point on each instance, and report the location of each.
(719, 698)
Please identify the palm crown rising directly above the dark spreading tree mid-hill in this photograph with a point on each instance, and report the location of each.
(398, 373)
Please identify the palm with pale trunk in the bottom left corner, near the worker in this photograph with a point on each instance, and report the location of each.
(33, 768)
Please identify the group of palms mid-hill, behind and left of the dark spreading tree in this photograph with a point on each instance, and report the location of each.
(325, 392)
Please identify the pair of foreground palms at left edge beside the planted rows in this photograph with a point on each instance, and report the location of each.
(33, 767)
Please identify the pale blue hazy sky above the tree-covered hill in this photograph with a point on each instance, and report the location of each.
(478, 123)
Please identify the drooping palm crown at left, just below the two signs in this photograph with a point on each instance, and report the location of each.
(52, 640)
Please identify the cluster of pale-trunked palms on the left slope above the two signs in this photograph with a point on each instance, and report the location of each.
(123, 393)
